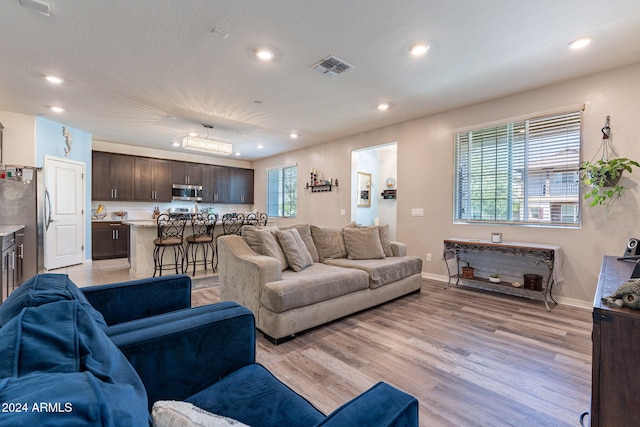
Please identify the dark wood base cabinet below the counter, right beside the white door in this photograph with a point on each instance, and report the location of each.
(109, 239)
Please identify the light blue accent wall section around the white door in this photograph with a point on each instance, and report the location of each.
(51, 142)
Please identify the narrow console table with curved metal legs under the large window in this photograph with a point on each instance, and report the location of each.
(528, 256)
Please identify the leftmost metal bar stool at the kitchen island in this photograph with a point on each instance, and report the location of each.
(170, 233)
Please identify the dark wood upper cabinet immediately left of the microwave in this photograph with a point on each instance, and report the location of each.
(152, 179)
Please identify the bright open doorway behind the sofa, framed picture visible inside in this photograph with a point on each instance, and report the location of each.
(376, 167)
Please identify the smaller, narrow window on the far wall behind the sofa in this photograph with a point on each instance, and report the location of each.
(282, 192)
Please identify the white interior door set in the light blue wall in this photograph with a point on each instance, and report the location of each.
(64, 213)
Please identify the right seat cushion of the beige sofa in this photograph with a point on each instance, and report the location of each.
(382, 271)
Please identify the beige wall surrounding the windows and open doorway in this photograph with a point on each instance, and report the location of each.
(425, 177)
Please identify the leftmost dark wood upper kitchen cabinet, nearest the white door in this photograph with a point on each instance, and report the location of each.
(112, 176)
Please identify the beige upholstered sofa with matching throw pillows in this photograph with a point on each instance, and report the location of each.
(298, 277)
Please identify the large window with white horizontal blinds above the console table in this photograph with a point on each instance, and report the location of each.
(520, 173)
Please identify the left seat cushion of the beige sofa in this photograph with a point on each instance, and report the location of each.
(316, 283)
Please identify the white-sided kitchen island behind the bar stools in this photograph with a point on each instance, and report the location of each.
(141, 236)
